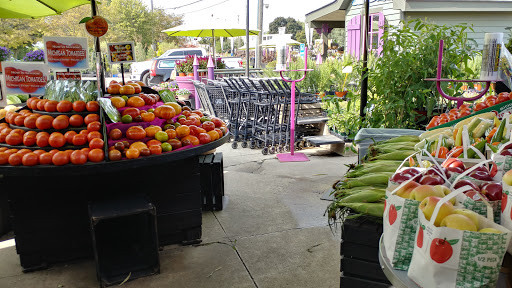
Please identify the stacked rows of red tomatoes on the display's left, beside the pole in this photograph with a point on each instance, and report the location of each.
(52, 133)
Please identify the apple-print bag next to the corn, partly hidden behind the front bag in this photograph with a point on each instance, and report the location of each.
(400, 219)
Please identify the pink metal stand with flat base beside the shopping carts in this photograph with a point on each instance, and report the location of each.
(292, 156)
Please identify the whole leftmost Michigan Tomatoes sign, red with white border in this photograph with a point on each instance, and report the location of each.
(25, 77)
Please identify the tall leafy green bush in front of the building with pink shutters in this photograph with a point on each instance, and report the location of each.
(397, 88)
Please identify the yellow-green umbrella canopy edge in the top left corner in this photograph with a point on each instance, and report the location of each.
(37, 8)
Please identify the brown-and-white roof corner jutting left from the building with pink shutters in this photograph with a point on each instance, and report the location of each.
(333, 14)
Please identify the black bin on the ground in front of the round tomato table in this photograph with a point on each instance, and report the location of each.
(125, 239)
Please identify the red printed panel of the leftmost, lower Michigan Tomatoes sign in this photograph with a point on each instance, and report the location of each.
(27, 81)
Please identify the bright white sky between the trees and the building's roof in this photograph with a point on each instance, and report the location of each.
(235, 11)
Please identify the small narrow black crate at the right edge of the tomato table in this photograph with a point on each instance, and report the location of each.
(212, 181)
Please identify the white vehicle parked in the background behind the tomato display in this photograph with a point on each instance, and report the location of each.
(140, 71)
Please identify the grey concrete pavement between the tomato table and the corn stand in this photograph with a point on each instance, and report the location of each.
(272, 232)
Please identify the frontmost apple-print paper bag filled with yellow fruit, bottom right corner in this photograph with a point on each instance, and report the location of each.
(449, 257)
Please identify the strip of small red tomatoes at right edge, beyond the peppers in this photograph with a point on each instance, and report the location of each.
(466, 110)
